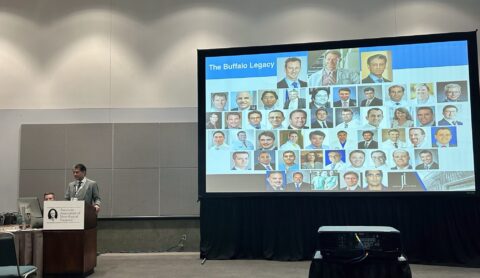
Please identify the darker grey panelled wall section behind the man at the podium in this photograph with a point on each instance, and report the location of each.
(133, 171)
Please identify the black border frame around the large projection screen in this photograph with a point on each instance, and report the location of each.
(471, 39)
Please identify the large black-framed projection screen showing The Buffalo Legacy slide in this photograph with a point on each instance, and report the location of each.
(376, 115)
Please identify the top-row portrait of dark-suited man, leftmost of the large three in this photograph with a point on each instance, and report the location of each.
(293, 73)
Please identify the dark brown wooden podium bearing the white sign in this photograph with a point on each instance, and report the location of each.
(71, 252)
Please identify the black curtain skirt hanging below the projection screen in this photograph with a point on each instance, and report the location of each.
(435, 229)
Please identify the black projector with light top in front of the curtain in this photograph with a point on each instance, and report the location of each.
(356, 243)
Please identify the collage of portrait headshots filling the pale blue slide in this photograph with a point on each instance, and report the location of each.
(339, 120)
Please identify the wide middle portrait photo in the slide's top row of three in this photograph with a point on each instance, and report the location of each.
(333, 67)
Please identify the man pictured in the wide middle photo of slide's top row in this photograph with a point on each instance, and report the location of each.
(331, 74)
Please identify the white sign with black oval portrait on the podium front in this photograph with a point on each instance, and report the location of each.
(63, 215)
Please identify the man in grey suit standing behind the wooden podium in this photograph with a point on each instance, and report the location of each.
(83, 189)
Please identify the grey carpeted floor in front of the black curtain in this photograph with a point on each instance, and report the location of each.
(188, 265)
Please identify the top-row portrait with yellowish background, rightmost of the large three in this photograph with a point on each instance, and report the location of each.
(376, 67)
